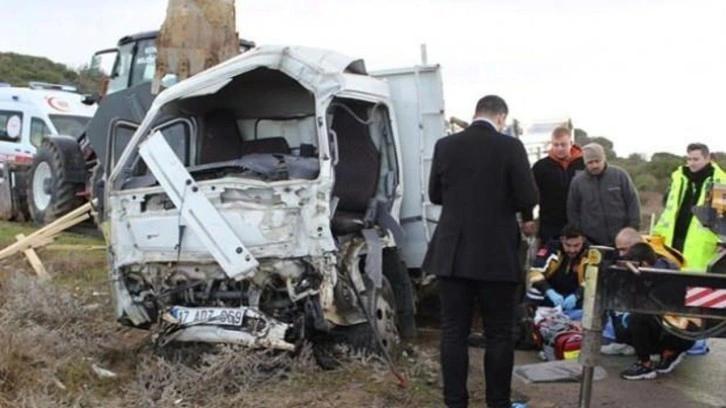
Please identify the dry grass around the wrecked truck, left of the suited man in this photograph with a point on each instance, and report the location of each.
(52, 334)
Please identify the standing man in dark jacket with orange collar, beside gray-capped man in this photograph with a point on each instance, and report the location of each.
(553, 175)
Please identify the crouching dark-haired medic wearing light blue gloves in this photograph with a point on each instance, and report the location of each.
(558, 273)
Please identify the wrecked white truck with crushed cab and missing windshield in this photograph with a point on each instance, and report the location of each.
(275, 198)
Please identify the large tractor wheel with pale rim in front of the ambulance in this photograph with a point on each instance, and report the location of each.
(53, 183)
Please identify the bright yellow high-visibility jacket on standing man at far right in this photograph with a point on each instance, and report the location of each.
(701, 244)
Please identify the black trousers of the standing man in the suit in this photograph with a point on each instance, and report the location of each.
(496, 304)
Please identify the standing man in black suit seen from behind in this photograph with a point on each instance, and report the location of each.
(482, 179)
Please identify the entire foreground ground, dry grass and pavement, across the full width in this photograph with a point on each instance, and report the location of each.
(61, 347)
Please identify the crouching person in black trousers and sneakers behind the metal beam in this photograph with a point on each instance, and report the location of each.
(647, 332)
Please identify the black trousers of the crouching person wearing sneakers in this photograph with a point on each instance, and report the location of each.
(649, 337)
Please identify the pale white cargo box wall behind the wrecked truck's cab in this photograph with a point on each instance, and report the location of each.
(417, 95)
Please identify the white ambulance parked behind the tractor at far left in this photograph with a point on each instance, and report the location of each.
(27, 114)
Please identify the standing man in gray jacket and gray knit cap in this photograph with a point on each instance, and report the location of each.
(602, 200)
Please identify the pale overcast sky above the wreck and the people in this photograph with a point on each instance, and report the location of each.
(647, 74)
